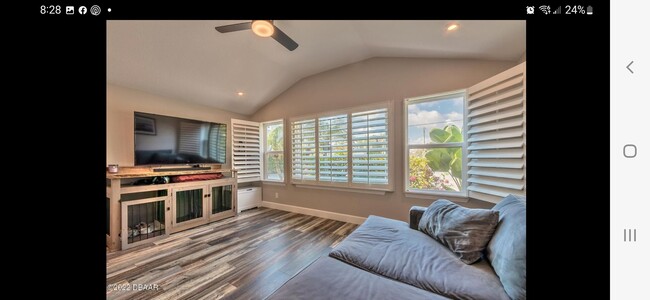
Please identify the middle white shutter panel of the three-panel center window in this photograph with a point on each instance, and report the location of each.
(333, 149)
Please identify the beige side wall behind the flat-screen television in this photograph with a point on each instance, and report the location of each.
(121, 102)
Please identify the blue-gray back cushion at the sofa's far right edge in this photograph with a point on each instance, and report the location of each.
(507, 249)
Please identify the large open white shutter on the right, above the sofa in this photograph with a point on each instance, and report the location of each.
(496, 136)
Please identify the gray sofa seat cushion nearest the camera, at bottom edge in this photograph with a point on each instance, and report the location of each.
(328, 278)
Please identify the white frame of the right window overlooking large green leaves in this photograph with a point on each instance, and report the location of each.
(429, 98)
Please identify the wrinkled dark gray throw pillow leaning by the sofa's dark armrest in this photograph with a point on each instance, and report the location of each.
(465, 231)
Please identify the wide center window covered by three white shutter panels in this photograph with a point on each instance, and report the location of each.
(342, 149)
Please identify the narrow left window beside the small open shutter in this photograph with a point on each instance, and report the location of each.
(273, 150)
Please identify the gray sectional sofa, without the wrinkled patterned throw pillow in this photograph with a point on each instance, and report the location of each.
(390, 259)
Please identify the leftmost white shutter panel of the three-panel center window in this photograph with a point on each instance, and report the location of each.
(303, 150)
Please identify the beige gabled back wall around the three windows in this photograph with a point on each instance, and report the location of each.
(370, 81)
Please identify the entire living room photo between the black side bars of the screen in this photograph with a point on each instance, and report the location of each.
(316, 159)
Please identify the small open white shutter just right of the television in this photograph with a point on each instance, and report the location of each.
(246, 156)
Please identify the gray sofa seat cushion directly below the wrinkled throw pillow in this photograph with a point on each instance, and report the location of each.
(392, 249)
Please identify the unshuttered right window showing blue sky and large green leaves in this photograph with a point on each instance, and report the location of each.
(435, 145)
